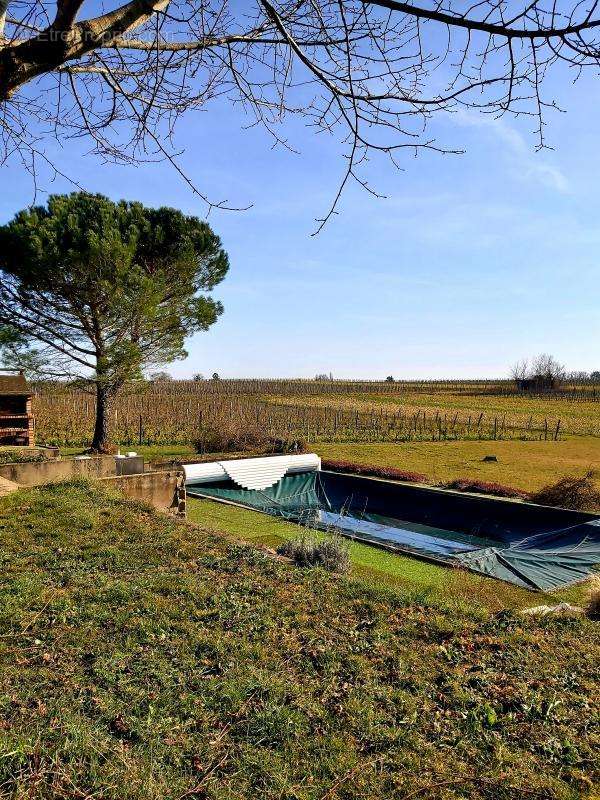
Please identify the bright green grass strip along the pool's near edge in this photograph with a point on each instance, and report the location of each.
(377, 567)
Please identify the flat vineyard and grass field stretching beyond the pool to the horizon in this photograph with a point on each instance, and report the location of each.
(430, 428)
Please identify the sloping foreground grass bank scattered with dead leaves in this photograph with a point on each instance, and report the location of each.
(142, 658)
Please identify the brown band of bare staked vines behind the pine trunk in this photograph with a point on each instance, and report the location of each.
(68, 420)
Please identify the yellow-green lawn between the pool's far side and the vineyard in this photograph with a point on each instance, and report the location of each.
(524, 465)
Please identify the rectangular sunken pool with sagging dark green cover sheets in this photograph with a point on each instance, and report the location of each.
(531, 546)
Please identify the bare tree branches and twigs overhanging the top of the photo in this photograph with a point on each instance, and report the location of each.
(373, 73)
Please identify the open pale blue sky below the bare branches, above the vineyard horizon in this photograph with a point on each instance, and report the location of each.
(471, 263)
